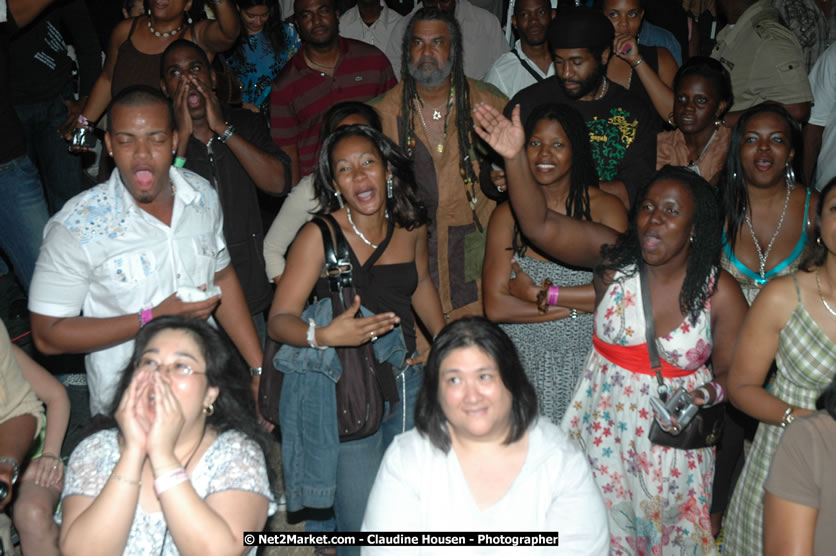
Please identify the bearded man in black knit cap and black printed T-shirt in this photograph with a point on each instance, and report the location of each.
(622, 128)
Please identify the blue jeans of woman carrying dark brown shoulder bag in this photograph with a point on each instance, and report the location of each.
(359, 460)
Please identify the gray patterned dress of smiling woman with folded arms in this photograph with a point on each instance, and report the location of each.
(553, 353)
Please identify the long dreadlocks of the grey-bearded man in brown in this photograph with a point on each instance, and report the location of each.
(464, 119)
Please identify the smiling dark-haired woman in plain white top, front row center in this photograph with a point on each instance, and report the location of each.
(479, 459)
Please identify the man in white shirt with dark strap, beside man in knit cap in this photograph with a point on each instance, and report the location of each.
(530, 61)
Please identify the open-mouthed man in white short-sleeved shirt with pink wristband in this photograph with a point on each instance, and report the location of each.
(130, 249)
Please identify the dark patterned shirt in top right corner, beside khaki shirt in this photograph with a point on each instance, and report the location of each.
(814, 30)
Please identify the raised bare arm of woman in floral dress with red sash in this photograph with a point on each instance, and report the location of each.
(576, 242)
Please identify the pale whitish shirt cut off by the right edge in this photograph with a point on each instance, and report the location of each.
(823, 114)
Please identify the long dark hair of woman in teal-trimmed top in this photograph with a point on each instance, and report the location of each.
(734, 195)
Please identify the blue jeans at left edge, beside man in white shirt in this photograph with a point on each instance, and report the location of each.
(23, 216)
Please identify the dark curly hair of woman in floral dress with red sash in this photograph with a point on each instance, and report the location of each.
(703, 254)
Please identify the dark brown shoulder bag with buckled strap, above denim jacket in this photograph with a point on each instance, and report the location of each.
(365, 383)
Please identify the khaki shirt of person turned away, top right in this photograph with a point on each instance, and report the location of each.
(763, 58)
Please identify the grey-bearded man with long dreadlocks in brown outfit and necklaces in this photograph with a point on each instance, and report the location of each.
(429, 114)
